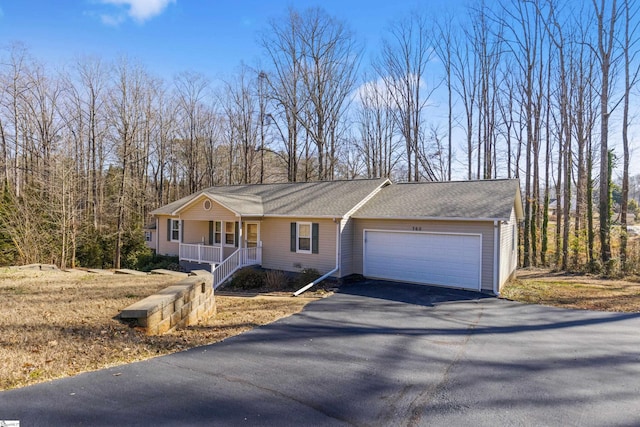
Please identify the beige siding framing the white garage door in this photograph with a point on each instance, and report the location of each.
(484, 228)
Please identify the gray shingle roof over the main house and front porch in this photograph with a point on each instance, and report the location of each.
(308, 199)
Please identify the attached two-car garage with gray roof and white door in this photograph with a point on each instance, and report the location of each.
(454, 234)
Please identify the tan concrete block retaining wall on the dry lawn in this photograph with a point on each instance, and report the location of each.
(185, 303)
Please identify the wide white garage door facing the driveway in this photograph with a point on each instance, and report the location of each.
(429, 258)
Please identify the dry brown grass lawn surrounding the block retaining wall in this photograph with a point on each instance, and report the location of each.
(56, 324)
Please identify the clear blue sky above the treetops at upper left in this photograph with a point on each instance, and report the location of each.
(169, 36)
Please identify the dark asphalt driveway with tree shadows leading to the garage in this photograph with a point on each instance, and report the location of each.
(374, 354)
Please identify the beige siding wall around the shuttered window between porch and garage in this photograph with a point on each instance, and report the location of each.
(275, 234)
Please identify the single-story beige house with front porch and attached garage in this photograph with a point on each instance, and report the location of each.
(458, 234)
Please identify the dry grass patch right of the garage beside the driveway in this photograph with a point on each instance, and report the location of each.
(586, 292)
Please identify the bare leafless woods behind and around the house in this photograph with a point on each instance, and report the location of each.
(541, 90)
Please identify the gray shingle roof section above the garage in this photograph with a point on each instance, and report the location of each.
(491, 199)
